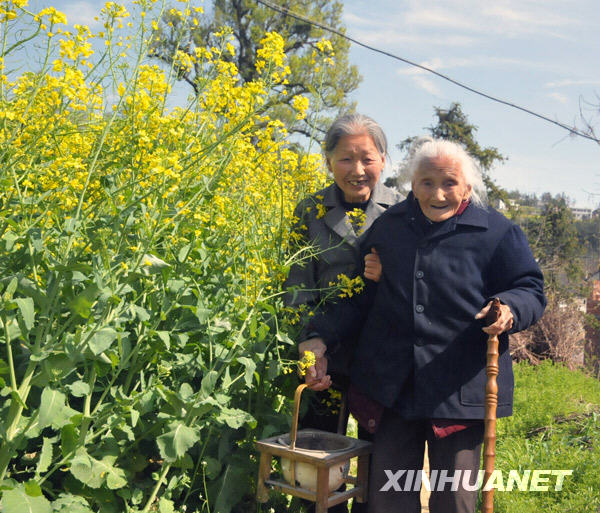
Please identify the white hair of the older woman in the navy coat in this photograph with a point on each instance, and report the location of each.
(436, 148)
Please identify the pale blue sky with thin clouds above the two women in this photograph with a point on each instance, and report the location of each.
(540, 54)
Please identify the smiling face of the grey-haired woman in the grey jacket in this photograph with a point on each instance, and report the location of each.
(356, 165)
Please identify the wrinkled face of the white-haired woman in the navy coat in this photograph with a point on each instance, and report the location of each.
(440, 188)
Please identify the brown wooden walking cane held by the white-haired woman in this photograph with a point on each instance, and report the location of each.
(491, 402)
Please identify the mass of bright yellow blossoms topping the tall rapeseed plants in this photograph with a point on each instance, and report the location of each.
(90, 134)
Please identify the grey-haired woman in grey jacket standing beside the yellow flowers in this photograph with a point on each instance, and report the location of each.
(333, 221)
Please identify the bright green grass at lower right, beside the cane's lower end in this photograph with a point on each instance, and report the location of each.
(555, 426)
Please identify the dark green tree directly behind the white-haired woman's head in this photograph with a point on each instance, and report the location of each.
(453, 124)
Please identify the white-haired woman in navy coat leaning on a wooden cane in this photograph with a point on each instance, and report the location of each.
(420, 359)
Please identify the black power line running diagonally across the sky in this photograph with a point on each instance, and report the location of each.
(291, 14)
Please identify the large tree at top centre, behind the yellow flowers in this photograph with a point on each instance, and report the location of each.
(326, 86)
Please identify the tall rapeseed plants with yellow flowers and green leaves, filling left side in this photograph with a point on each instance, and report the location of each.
(143, 249)
